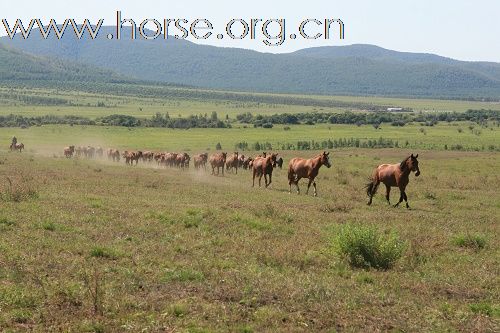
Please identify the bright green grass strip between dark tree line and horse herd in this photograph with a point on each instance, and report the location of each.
(52, 138)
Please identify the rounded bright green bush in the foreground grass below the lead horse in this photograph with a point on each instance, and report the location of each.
(366, 247)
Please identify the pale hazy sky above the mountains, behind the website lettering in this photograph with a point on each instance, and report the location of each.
(465, 30)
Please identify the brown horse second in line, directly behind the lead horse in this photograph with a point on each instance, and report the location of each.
(300, 168)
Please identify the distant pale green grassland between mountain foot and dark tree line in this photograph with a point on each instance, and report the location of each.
(85, 104)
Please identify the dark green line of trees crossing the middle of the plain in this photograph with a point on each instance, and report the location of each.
(266, 121)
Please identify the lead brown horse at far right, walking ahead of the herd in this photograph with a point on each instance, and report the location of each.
(393, 175)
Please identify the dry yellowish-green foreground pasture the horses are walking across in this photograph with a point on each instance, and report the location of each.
(91, 246)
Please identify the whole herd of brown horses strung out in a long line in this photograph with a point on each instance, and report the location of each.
(262, 165)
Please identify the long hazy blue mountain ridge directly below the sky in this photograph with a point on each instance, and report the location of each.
(355, 69)
